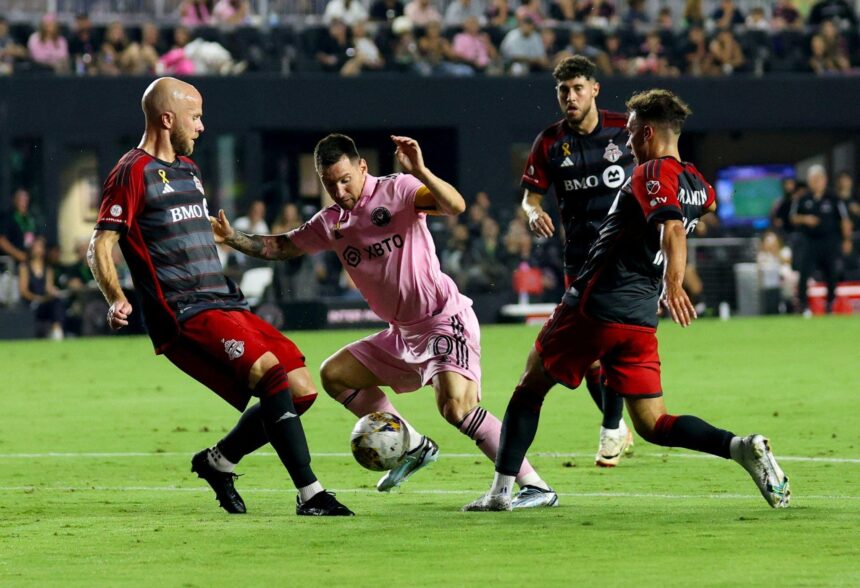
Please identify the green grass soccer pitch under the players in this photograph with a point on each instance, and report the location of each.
(95, 488)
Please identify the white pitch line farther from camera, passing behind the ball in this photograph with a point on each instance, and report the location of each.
(96, 455)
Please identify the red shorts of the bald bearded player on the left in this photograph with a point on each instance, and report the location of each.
(218, 347)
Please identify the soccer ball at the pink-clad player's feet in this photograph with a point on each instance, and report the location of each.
(379, 441)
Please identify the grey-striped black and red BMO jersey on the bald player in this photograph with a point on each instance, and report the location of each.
(161, 212)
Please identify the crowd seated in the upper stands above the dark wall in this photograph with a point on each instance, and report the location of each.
(442, 37)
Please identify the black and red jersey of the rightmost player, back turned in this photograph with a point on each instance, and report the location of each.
(622, 277)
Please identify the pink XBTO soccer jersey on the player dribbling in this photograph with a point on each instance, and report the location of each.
(386, 248)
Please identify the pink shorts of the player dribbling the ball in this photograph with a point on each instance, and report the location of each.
(407, 358)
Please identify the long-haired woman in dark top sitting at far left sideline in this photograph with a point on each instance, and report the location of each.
(36, 286)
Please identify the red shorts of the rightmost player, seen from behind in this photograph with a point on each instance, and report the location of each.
(570, 342)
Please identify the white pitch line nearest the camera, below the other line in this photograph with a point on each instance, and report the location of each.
(429, 491)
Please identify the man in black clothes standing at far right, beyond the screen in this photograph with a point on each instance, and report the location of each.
(823, 222)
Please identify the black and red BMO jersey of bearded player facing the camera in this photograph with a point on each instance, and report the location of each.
(586, 172)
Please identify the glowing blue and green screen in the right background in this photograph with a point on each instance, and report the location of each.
(747, 193)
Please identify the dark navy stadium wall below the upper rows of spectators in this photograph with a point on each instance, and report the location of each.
(483, 117)
